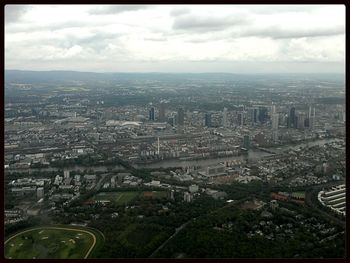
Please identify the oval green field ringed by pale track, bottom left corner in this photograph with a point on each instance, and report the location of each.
(50, 242)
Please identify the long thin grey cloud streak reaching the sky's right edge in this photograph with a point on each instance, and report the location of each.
(280, 33)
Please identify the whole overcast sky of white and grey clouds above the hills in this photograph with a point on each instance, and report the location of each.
(176, 38)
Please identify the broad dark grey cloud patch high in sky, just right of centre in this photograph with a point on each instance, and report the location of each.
(201, 23)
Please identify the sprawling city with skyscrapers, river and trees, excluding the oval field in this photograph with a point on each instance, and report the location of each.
(173, 154)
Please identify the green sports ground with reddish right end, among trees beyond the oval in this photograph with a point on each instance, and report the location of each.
(122, 198)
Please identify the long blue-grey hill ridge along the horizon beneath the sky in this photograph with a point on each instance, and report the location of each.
(23, 76)
